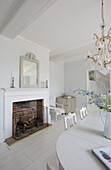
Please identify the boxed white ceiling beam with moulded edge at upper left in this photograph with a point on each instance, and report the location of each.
(21, 14)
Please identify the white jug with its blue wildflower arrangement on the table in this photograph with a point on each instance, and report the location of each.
(103, 102)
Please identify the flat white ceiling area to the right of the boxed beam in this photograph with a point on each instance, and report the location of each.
(67, 25)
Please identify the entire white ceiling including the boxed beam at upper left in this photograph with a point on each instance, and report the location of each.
(65, 27)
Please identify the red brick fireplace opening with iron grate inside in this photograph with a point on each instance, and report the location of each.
(28, 117)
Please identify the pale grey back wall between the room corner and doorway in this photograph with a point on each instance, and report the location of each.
(74, 78)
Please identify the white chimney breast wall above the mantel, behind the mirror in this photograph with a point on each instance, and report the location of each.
(10, 52)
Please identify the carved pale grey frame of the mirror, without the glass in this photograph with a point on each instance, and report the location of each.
(31, 58)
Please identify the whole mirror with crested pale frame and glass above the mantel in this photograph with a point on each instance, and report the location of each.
(29, 71)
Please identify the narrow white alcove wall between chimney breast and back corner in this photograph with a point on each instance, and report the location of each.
(56, 79)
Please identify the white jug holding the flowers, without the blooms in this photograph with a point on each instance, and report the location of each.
(107, 124)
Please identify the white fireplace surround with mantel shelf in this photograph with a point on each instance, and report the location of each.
(20, 94)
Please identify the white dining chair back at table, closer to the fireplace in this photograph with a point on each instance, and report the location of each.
(71, 118)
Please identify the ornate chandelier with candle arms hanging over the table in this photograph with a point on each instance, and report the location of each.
(102, 56)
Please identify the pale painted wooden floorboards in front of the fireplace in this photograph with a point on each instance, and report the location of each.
(33, 152)
